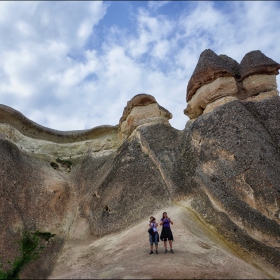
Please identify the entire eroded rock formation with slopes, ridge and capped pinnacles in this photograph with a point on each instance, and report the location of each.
(95, 189)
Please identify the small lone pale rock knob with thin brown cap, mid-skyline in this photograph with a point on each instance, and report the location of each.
(142, 109)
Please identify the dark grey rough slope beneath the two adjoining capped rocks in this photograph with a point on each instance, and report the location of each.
(237, 163)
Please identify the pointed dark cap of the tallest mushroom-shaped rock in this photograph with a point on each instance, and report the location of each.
(209, 67)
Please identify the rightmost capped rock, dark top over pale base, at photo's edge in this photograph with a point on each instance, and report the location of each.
(258, 75)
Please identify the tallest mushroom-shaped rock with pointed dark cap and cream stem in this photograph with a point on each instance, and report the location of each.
(213, 79)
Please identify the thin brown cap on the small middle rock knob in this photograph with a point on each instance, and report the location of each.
(141, 99)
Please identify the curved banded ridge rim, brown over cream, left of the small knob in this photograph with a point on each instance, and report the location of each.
(31, 137)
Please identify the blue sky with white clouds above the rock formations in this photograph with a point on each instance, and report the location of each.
(74, 65)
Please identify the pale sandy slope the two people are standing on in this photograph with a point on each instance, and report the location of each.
(198, 253)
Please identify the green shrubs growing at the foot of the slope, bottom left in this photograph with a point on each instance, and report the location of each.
(30, 249)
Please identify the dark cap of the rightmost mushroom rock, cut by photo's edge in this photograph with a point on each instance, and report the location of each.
(255, 62)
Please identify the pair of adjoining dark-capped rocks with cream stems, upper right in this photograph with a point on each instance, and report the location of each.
(256, 74)
